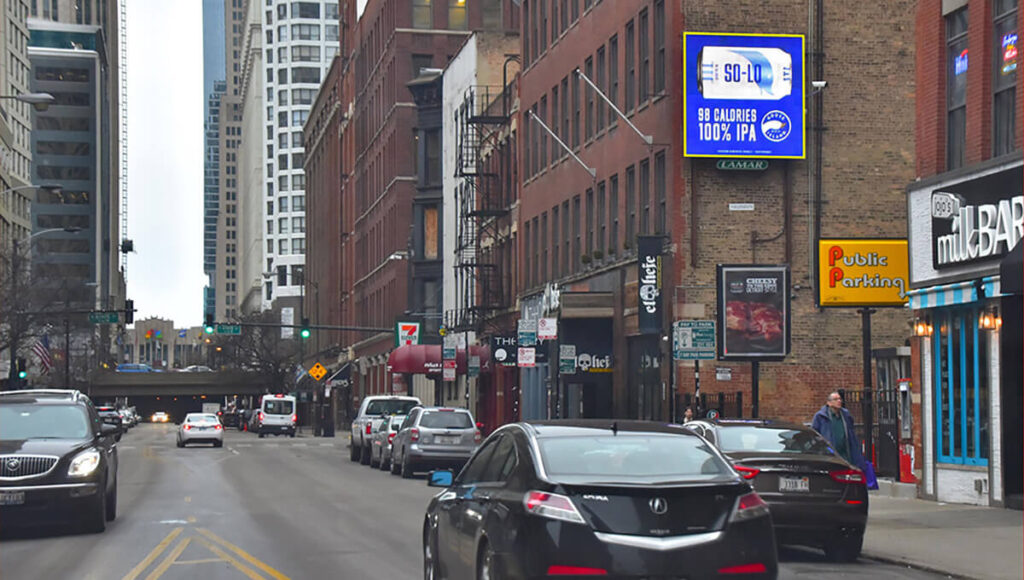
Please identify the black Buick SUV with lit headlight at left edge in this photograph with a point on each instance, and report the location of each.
(59, 462)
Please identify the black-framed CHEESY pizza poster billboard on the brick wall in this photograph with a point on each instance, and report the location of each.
(753, 312)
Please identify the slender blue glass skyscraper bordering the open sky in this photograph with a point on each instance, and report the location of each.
(214, 90)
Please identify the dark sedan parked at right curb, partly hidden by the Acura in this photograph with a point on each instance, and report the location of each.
(816, 498)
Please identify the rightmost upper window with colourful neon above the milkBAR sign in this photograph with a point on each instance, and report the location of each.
(1007, 45)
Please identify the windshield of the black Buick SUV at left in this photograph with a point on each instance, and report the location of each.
(44, 422)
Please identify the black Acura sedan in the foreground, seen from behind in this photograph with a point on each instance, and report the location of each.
(578, 499)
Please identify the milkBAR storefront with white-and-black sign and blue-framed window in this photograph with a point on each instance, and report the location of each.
(968, 333)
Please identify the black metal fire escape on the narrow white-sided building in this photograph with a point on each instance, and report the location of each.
(484, 203)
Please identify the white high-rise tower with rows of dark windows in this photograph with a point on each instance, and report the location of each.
(301, 39)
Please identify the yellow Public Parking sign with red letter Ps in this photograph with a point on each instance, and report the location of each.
(863, 273)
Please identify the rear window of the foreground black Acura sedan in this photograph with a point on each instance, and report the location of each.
(634, 458)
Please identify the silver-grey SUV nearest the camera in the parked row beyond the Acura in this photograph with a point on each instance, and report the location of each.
(434, 437)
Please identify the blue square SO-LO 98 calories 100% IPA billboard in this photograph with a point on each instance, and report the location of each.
(744, 96)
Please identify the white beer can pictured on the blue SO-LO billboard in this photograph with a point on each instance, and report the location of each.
(743, 73)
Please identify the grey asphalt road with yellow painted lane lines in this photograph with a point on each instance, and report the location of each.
(273, 509)
